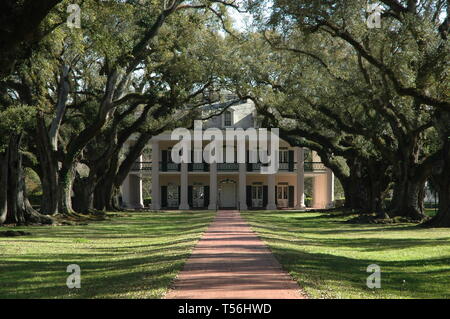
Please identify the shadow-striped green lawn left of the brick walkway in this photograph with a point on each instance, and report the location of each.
(134, 255)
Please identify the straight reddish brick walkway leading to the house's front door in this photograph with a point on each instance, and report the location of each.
(230, 261)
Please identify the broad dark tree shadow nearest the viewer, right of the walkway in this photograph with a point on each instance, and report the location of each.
(317, 270)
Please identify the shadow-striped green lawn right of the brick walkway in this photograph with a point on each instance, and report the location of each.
(329, 258)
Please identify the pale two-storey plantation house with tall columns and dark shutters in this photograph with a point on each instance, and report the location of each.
(228, 185)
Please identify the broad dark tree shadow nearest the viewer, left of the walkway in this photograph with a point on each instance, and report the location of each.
(114, 275)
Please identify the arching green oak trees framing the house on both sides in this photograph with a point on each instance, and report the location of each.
(372, 102)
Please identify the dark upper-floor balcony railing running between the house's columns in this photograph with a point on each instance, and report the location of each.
(226, 167)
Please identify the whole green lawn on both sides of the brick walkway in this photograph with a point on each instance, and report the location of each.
(138, 254)
